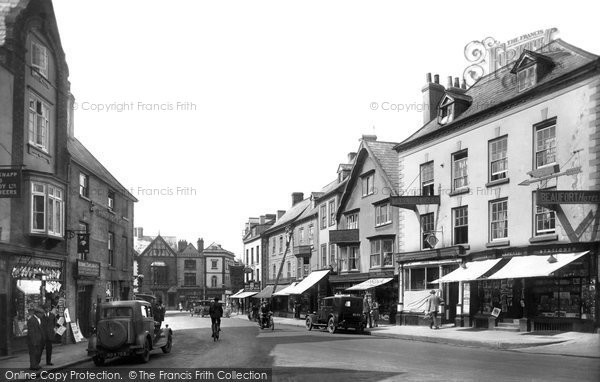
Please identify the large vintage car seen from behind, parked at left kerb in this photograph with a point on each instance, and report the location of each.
(126, 328)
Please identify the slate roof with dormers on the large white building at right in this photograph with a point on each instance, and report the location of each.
(500, 86)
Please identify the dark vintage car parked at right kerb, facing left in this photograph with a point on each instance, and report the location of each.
(337, 312)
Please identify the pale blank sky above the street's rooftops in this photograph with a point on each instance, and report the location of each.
(211, 112)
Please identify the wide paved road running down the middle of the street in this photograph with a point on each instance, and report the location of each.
(298, 355)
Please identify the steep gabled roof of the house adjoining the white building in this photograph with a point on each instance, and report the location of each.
(386, 164)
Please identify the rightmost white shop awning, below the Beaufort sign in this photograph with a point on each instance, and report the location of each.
(535, 266)
